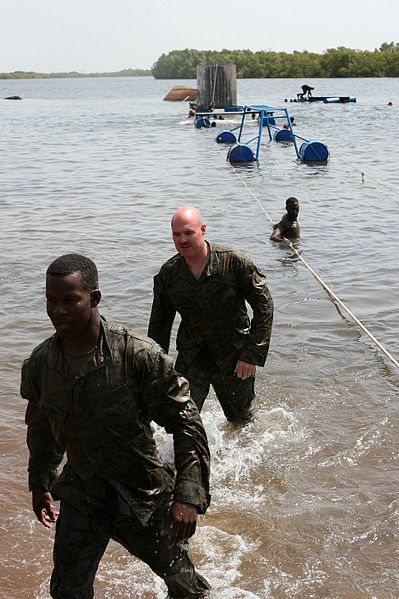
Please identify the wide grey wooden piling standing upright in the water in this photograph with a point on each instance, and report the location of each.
(217, 85)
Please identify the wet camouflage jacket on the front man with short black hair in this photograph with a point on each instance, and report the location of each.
(102, 420)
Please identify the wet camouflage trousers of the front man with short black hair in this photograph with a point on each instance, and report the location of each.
(81, 540)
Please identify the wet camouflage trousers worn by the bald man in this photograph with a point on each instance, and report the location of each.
(235, 395)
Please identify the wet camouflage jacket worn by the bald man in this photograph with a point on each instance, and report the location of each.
(212, 308)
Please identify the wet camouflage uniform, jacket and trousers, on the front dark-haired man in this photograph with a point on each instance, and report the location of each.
(115, 484)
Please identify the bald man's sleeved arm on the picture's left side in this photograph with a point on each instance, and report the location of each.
(162, 316)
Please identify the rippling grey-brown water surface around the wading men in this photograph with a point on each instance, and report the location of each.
(305, 498)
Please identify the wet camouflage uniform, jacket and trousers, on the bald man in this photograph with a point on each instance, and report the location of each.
(215, 330)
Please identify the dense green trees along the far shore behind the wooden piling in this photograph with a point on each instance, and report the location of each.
(334, 62)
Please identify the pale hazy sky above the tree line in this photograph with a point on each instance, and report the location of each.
(109, 35)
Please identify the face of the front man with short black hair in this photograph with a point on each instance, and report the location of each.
(69, 304)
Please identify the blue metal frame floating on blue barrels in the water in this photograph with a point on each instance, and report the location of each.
(268, 117)
